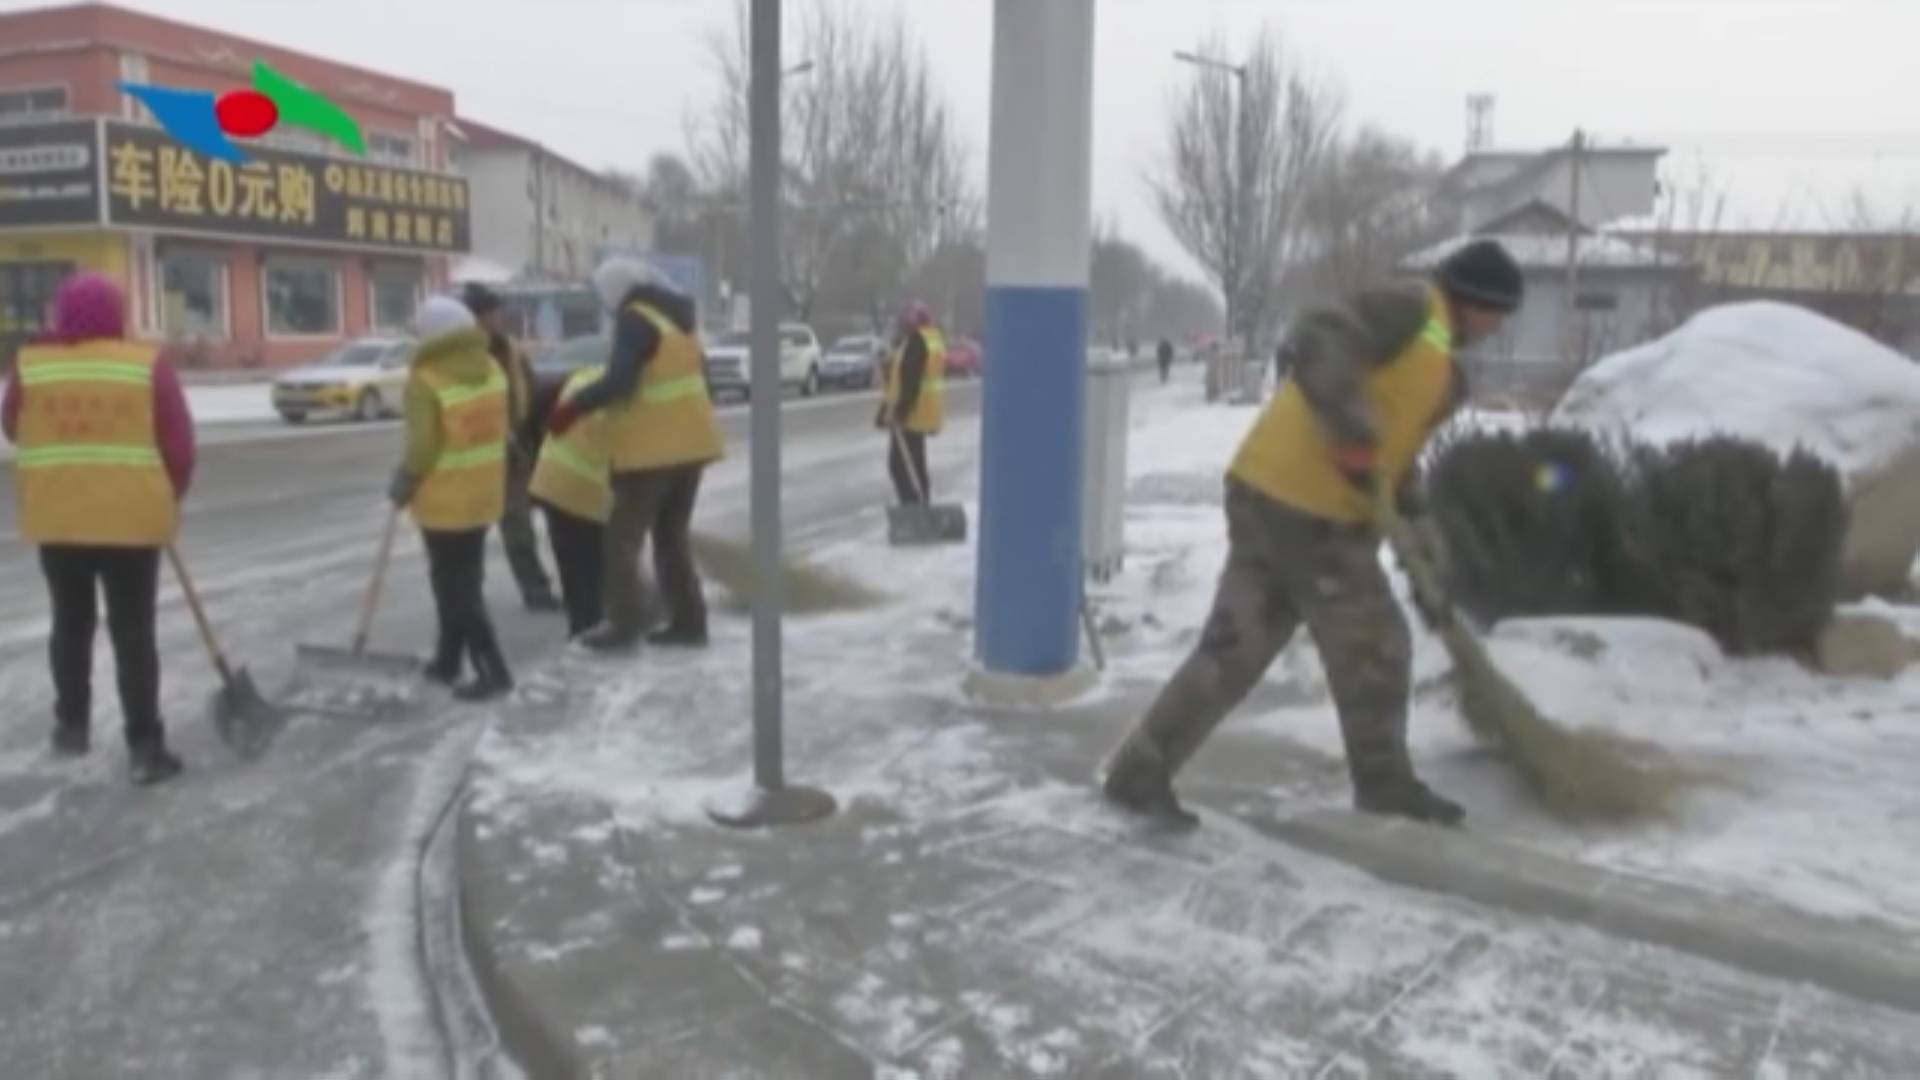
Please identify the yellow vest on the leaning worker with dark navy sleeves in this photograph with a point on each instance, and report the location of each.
(669, 420)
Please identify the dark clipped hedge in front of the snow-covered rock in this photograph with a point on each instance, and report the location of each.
(1717, 533)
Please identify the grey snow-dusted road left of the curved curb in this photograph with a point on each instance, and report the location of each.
(256, 920)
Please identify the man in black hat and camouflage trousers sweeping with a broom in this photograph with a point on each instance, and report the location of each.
(1370, 383)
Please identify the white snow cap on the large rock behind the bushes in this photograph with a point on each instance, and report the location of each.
(1775, 374)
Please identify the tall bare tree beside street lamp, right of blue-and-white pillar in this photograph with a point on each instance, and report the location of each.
(1239, 172)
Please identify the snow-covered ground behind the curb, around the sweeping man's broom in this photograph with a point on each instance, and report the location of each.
(1819, 800)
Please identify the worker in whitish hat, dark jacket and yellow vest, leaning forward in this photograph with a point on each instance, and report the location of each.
(661, 435)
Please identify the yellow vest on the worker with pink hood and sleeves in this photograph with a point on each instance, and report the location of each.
(87, 464)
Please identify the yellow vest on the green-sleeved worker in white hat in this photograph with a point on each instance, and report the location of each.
(468, 487)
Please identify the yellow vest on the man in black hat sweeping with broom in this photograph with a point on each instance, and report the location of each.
(1289, 456)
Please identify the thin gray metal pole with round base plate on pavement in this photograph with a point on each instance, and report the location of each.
(771, 802)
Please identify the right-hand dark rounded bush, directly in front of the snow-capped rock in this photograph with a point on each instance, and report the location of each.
(1739, 543)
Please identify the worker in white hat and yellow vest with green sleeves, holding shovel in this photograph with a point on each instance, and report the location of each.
(454, 481)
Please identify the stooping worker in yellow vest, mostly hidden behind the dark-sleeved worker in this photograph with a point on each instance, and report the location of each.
(573, 487)
